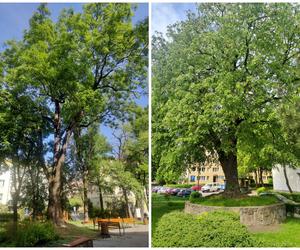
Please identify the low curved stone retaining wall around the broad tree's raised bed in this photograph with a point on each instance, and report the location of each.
(259, 215)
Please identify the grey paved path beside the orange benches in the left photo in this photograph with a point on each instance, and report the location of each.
(136, 236)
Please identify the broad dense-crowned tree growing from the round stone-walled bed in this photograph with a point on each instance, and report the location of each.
(218, 75)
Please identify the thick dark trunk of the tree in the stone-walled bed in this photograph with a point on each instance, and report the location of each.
(229, 165)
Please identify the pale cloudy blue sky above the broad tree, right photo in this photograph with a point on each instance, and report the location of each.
(164, 14)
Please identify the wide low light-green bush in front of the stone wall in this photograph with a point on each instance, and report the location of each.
(214, 229)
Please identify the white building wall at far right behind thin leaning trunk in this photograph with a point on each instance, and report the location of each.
(279, 181)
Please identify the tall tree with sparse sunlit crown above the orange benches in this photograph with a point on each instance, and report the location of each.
(84, 67)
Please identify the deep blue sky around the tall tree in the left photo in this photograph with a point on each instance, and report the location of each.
(14, 19)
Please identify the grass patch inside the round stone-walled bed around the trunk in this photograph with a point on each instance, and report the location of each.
(217, 200)
